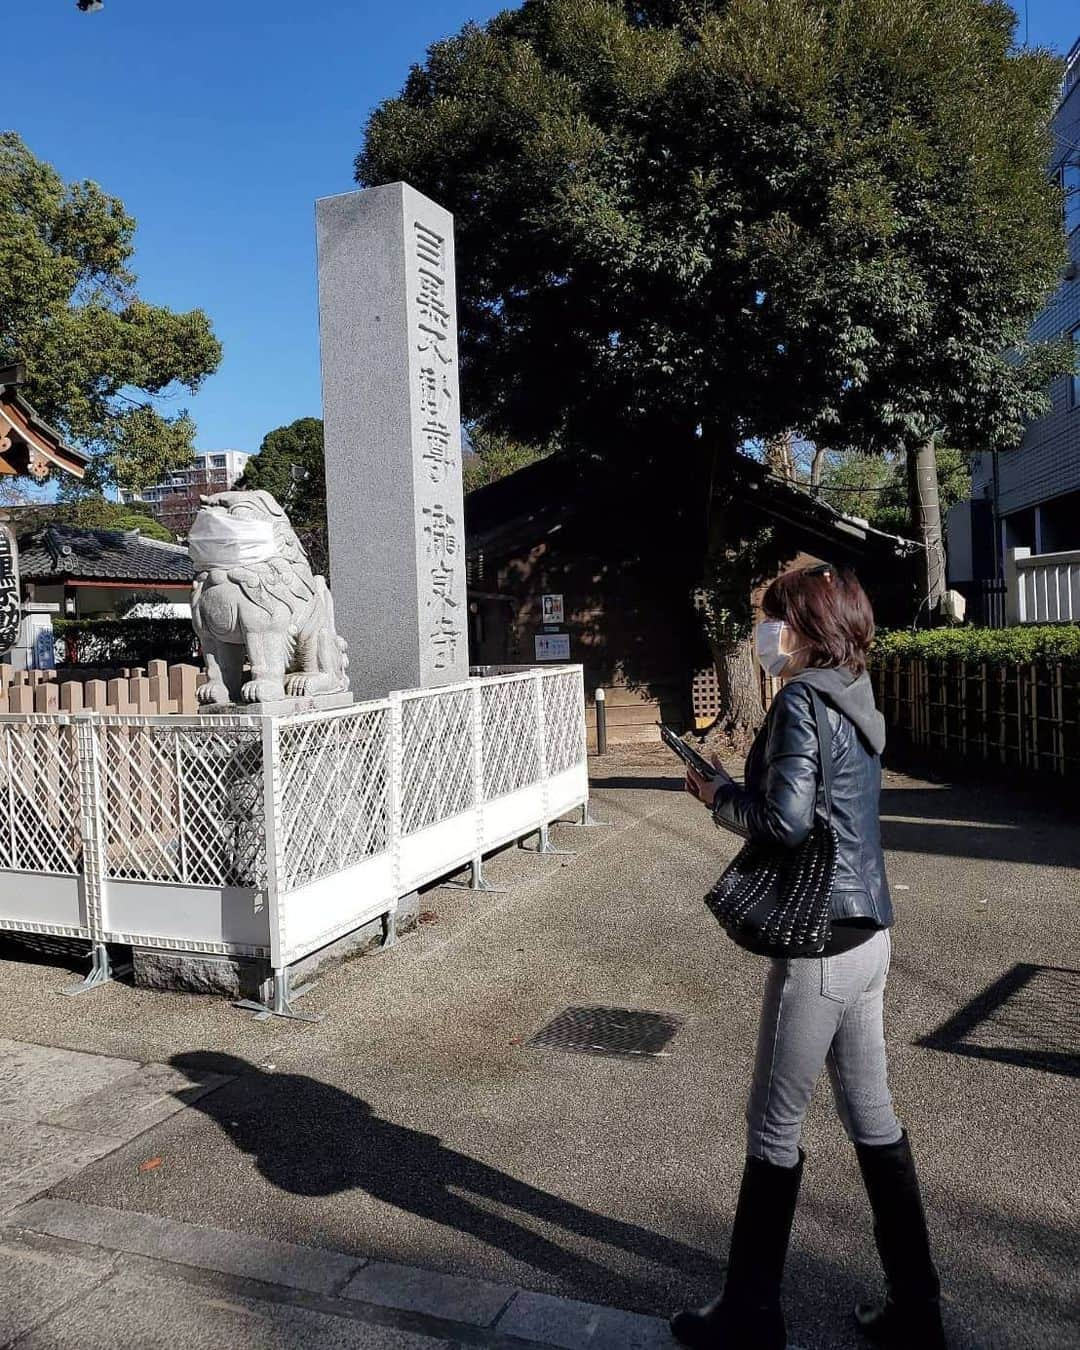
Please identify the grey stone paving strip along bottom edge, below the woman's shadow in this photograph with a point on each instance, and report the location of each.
(82, 1275)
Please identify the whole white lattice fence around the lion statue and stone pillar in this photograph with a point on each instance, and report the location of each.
(273, 838)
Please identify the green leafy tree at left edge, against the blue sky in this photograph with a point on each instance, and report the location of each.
(98, 354)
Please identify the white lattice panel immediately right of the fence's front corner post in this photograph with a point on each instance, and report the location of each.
(335, 786)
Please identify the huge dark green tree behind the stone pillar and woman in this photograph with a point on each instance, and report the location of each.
(685, 225)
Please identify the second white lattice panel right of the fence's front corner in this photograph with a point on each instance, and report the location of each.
(437, 759)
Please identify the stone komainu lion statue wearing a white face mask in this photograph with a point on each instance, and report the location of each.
(256, 599)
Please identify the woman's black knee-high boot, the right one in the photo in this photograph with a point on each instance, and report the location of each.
(911, 1314)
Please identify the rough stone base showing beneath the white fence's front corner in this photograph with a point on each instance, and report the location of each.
(250, 978)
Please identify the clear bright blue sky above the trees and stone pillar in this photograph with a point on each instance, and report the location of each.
(219, 122)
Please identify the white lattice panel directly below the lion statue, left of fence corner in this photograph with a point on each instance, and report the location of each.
(183, 804)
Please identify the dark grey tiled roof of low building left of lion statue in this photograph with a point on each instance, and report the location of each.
(124, 556)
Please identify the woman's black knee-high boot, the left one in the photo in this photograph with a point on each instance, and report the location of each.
(749, 1316)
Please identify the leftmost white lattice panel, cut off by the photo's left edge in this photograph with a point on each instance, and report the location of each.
(40, 790)
